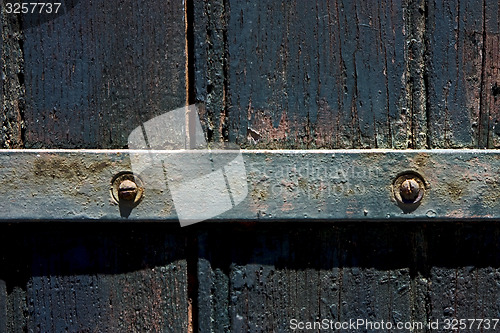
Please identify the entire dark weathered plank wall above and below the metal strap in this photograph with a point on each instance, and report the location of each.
(324, 74)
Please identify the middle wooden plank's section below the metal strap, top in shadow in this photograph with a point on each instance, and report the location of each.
(271, 275)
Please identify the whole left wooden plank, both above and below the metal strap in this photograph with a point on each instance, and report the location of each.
(85, 79)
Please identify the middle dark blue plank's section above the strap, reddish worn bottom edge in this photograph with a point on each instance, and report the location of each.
(328, 74)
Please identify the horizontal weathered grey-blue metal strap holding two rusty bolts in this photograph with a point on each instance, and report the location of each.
(256, 185)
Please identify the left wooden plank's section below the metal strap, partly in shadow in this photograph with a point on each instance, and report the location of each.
(81, 279)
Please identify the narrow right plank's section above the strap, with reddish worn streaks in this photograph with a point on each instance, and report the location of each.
(462, 73)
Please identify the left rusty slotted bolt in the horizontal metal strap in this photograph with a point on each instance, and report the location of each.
(126, 188)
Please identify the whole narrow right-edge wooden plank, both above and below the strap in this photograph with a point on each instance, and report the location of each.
(462, 66)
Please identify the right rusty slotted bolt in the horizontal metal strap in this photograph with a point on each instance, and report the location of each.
(409, 188)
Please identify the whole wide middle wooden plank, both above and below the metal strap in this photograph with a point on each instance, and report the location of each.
(325, 74)
